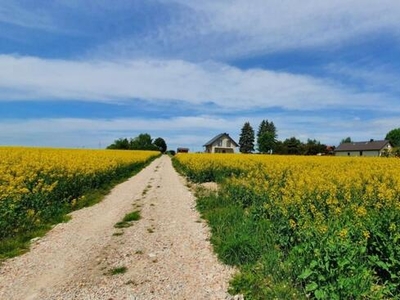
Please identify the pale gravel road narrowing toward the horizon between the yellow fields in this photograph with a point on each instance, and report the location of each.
(165, 255)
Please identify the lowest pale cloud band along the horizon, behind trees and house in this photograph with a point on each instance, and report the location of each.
(190, 132)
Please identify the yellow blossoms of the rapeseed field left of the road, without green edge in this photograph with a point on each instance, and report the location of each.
(37, 170)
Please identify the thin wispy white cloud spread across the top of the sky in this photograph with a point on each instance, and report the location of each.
(213, 29)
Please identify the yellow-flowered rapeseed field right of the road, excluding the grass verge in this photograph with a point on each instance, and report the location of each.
(334, 220)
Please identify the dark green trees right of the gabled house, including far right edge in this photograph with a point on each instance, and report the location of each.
(265, 141)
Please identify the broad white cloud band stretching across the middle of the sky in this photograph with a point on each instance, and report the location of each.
(29, 78)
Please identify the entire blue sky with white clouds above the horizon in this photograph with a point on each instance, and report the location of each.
(82, 73)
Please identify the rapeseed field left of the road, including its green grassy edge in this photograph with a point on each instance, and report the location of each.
(39, 187)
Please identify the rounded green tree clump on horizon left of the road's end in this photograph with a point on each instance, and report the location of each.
(141, 142)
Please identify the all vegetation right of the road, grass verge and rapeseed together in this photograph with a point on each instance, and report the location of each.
(303, 227)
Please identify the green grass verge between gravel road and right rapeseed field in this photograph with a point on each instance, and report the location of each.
(239, 239)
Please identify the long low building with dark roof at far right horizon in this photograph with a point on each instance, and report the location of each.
(370, 148)
